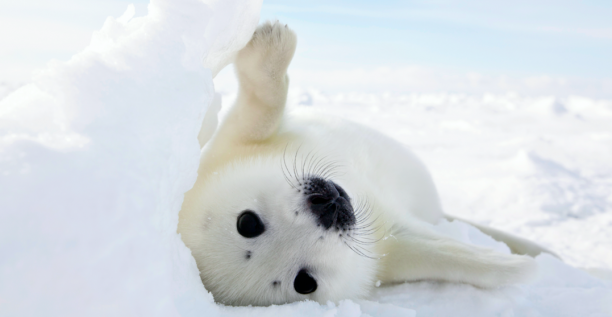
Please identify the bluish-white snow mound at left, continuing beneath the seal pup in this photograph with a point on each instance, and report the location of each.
(96, 153)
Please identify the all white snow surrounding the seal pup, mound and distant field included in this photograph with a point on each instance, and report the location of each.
(96, 153)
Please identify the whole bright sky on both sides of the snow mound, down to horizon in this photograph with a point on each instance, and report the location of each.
(472, 46)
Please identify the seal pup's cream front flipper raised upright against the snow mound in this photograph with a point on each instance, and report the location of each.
(261, 67)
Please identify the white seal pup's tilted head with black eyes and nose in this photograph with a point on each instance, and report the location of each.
(267, 233)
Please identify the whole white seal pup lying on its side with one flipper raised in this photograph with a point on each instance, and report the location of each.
(296, 205)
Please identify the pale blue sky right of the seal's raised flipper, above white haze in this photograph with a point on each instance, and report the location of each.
(552, 37)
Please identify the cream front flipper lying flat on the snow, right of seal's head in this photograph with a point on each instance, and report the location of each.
(419, 253)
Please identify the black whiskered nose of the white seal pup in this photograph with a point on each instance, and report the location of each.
(329, 203)
